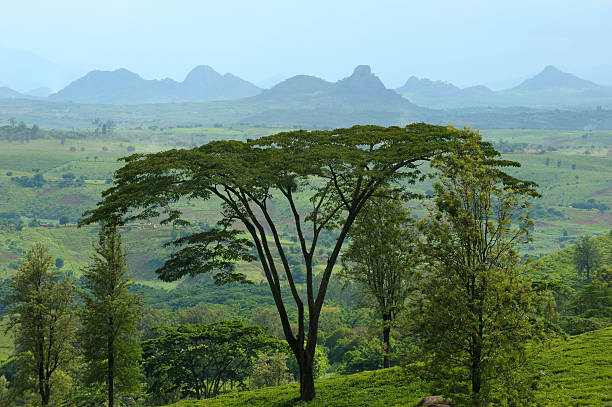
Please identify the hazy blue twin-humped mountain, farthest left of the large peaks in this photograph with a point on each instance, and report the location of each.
(124, 87)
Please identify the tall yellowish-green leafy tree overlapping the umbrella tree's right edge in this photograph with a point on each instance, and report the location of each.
(470, 323)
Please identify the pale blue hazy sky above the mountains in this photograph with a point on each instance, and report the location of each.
(466, 42)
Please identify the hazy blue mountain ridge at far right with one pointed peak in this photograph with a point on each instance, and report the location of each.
(549, 88)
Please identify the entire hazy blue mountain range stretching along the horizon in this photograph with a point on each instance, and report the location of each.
(362, 90)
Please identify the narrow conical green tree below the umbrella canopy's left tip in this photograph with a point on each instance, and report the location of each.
(108, 337)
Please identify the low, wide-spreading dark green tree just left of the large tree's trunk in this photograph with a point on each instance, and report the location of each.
(198, 360)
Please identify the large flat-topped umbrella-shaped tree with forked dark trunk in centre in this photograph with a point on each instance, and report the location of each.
(334, 171)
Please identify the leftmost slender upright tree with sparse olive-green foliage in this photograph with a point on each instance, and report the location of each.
(41, 312)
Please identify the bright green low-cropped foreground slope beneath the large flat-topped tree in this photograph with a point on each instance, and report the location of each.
(573, 372)
